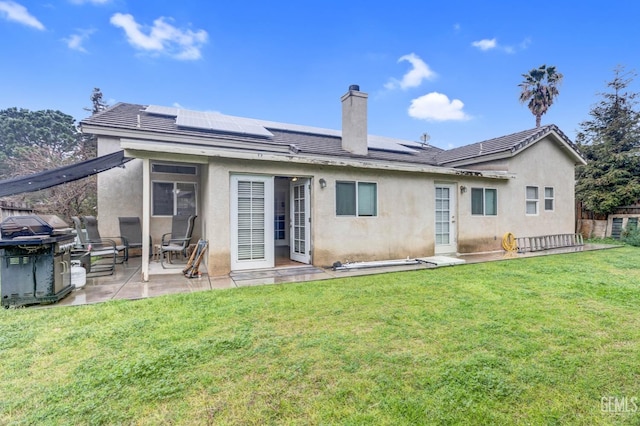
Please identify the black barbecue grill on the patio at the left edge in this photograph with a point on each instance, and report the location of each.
(35, 256)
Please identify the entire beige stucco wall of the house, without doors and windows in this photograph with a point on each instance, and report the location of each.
(404, 226)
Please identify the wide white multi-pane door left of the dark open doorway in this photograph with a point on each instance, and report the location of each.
(252, 243)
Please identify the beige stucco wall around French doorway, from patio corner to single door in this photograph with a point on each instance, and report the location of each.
(403, 211)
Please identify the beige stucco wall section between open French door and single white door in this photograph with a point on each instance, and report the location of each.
(404, 226)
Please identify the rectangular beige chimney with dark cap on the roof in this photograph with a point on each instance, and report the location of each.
(354, 121)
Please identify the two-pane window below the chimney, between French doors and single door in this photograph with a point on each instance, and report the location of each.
(360, 197)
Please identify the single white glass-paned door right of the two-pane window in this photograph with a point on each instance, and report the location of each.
(446, 238)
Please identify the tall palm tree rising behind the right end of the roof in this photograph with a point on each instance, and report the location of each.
(540, 96)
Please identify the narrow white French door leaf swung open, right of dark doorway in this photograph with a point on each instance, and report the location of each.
(300, 224)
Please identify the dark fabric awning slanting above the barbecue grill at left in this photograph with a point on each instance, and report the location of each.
(49, 178)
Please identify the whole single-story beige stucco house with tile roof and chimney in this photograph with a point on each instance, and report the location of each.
(265, 190)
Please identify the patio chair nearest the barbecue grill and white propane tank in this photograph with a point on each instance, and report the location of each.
(102, 254)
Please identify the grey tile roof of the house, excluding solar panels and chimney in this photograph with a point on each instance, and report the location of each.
(310, 140)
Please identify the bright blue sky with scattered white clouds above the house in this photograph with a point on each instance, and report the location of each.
(450, 69)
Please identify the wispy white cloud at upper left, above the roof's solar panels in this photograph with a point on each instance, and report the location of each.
(162, 37)
